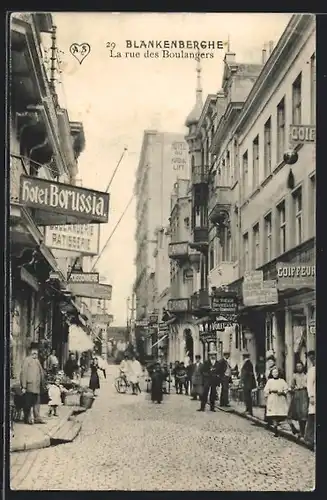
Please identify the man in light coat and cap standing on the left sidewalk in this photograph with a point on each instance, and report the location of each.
(32, 382)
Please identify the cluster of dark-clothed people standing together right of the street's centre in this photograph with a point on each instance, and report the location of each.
(202, 379)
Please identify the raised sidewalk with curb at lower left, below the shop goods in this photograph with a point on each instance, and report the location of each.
(64, 427)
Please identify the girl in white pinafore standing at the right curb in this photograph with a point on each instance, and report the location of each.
(275, 391)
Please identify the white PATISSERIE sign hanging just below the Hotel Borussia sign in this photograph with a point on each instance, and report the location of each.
(81, 238)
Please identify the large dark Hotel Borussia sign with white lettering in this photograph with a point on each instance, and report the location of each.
(58, 203)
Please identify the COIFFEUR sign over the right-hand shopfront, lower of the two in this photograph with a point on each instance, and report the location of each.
(295, 276)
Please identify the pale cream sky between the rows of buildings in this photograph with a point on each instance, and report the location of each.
(116, 99)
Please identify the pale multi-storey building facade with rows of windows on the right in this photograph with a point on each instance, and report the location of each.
(269, 206)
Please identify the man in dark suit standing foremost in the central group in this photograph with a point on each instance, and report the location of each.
(212, 373)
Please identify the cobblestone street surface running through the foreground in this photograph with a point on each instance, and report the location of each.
(128, 443)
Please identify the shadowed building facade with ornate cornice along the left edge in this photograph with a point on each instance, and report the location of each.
(43, 144)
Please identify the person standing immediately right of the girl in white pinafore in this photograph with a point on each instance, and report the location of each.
(298, 409)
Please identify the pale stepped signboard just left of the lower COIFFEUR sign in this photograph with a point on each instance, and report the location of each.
(257, 292)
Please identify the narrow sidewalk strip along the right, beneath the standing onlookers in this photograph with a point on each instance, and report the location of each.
(258, 419)
